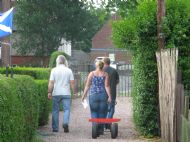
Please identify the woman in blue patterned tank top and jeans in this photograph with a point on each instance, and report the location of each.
(99, 94)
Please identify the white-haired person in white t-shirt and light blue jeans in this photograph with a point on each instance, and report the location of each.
(61, 78)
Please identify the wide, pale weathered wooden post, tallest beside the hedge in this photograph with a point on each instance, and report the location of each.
(167, 73)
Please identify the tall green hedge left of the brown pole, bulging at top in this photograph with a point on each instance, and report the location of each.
(138, 33)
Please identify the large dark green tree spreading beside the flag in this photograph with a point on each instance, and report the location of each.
(42, 24)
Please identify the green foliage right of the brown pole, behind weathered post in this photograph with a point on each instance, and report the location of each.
(177, 33)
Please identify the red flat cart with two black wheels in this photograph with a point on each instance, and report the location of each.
(113, 126)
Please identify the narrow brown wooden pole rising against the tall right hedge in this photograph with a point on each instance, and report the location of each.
(160, 15)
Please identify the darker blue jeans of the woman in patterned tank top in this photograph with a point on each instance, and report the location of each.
(98, 105)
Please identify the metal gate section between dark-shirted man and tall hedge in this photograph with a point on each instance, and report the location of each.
(124, 87)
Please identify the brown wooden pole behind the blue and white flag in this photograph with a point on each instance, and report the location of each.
(5, 50)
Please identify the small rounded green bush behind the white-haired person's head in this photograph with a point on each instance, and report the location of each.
(52, 61)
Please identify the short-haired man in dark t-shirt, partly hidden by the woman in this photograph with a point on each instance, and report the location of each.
(113, 81)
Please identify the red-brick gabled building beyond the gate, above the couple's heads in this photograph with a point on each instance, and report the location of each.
(102, 45)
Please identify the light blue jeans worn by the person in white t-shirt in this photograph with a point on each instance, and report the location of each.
(66, 101)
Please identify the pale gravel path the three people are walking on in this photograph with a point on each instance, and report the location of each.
(80, 128)
